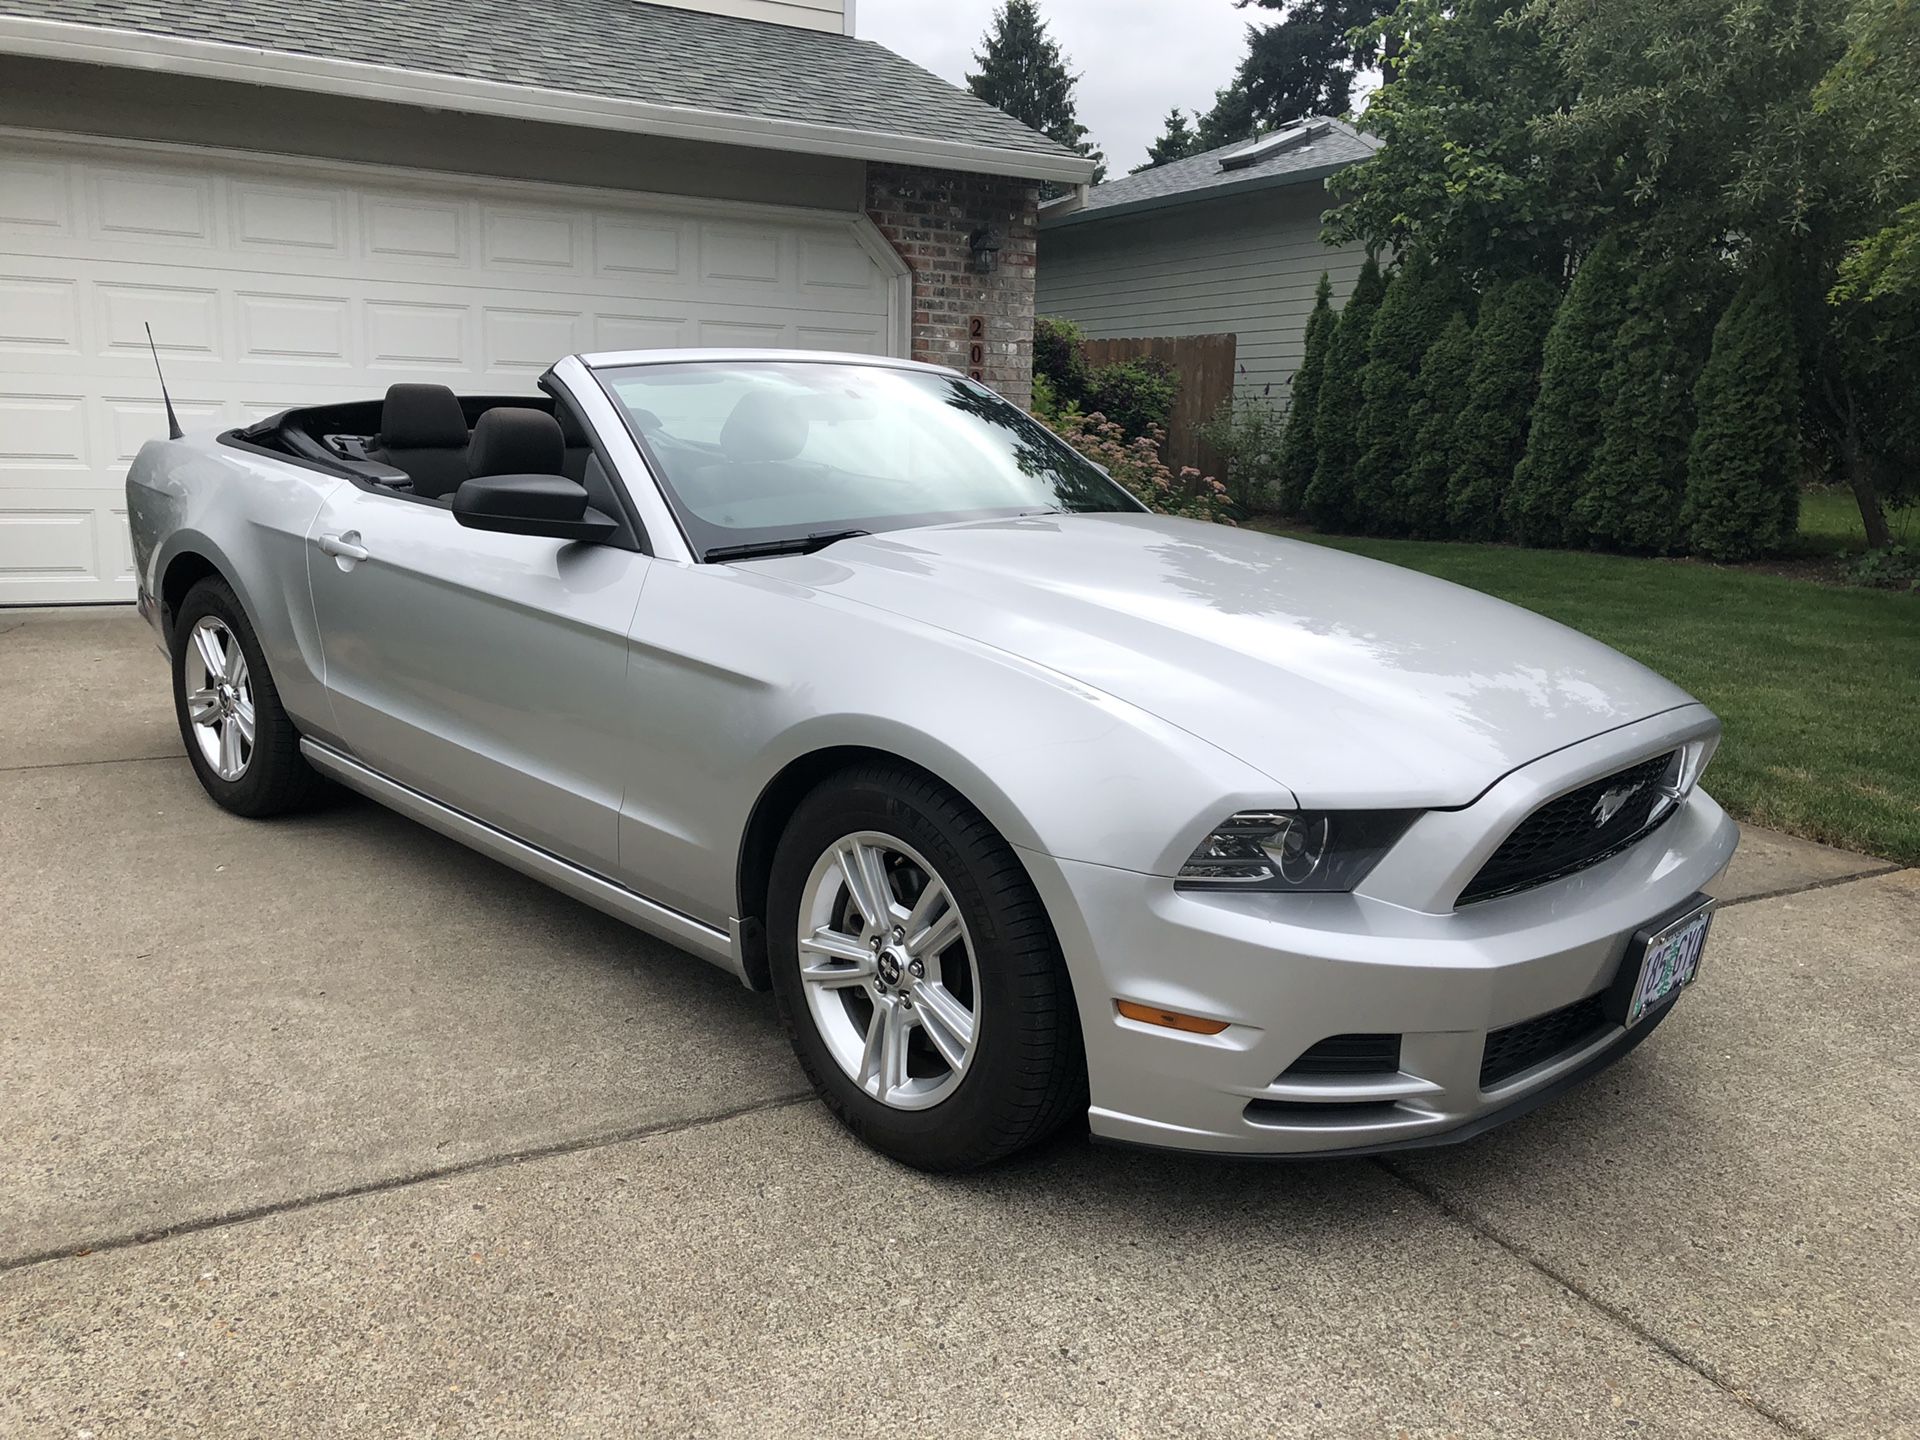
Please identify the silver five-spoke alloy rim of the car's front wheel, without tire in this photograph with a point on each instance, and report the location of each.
(890, 972)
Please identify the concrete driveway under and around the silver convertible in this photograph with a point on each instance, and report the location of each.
(333, 1128)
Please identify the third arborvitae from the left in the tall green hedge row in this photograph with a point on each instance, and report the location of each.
(1412, 316)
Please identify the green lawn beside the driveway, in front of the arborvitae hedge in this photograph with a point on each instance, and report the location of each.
(1819, 686)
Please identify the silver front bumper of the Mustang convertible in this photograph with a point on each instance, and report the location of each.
(1291, 971)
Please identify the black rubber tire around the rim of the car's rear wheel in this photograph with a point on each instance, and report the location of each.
(277, 777)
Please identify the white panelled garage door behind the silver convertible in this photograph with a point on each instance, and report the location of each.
(295, 283)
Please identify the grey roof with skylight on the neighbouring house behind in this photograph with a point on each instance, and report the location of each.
(1322, 149)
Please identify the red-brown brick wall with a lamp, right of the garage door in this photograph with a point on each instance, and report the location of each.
(928, 218)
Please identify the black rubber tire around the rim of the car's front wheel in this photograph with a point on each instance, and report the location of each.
(1028, 1074)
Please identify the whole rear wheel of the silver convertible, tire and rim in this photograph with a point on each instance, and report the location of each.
(239, 740)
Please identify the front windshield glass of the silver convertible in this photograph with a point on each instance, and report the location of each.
(782, 450)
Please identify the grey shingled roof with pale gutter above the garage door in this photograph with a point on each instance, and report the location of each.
(608, 64)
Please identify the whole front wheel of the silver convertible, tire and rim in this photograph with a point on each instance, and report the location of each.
(919, 976)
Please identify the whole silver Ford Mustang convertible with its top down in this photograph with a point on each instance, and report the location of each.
(1026, 804)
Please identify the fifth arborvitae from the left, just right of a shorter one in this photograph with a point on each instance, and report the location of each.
(1491, 433)
